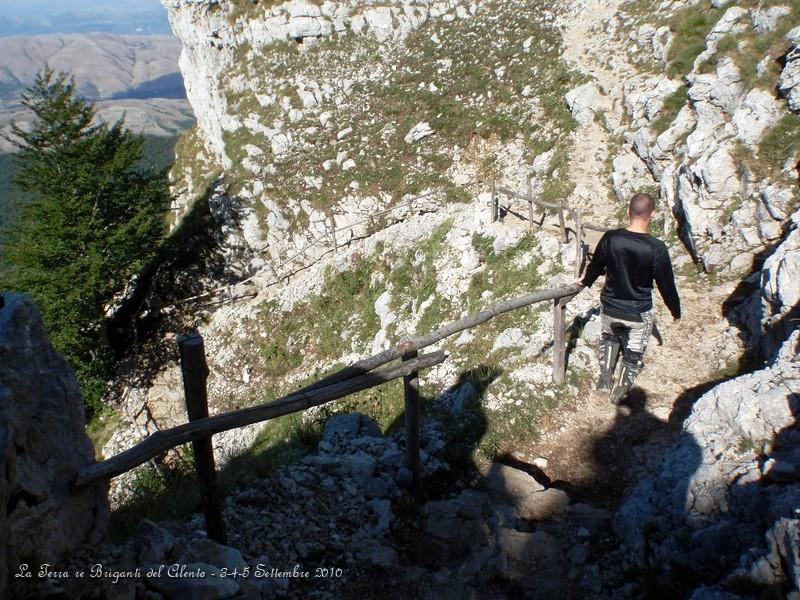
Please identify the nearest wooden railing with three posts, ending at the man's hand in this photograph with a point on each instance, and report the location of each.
(359, 376)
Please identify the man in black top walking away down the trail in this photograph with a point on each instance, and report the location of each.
(632, 260)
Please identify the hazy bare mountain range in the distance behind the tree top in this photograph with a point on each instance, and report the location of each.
(136, 76)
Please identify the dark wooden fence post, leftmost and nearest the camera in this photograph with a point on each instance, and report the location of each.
(195, 373)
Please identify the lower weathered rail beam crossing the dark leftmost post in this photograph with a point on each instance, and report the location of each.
(164, 440)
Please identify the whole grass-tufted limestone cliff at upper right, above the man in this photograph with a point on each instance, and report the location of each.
(712, 151)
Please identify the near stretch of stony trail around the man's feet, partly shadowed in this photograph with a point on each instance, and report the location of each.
(598, 450)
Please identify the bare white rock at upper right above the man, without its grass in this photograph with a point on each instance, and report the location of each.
(729, 213)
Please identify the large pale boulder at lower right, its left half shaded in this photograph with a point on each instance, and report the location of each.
(728, 491)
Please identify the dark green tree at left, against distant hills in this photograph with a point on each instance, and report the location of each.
(92, 220)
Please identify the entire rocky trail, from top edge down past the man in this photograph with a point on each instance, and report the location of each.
(591, 446)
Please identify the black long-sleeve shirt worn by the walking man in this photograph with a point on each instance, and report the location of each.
(632, 261)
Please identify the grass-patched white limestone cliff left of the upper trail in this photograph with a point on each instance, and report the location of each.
(318, 116)
